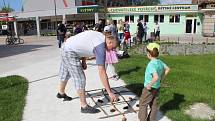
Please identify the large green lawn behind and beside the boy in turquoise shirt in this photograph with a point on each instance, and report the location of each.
(191, 79)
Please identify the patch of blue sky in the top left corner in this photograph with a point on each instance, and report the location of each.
(15, 4)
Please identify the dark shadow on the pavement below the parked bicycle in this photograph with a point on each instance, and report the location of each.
(10, 50)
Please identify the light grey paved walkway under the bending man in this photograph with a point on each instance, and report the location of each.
(39, 61)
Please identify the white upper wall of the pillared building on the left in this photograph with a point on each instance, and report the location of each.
(41, 8)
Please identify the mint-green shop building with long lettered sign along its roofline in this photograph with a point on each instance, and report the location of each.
(173, 19)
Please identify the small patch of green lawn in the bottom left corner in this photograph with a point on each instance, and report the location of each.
(13, 90)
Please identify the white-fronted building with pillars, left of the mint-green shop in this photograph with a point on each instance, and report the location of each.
(41, 16)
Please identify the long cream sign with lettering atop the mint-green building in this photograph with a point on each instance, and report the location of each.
(153, 8)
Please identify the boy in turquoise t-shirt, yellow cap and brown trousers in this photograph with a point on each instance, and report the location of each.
(156, 71)
